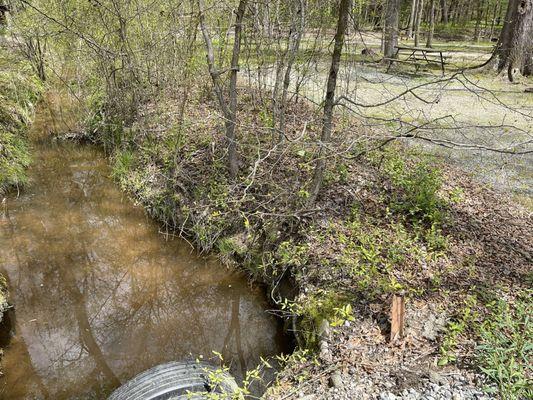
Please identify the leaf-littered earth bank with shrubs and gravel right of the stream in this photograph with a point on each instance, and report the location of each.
(388, 222)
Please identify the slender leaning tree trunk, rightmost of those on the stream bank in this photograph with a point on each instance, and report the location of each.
(329, 103)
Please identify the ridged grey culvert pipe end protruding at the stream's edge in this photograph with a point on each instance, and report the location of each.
(175, 381)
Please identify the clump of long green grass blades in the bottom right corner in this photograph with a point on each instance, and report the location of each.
(506, 346)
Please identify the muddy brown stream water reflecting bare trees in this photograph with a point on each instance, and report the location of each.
(100, 295)
